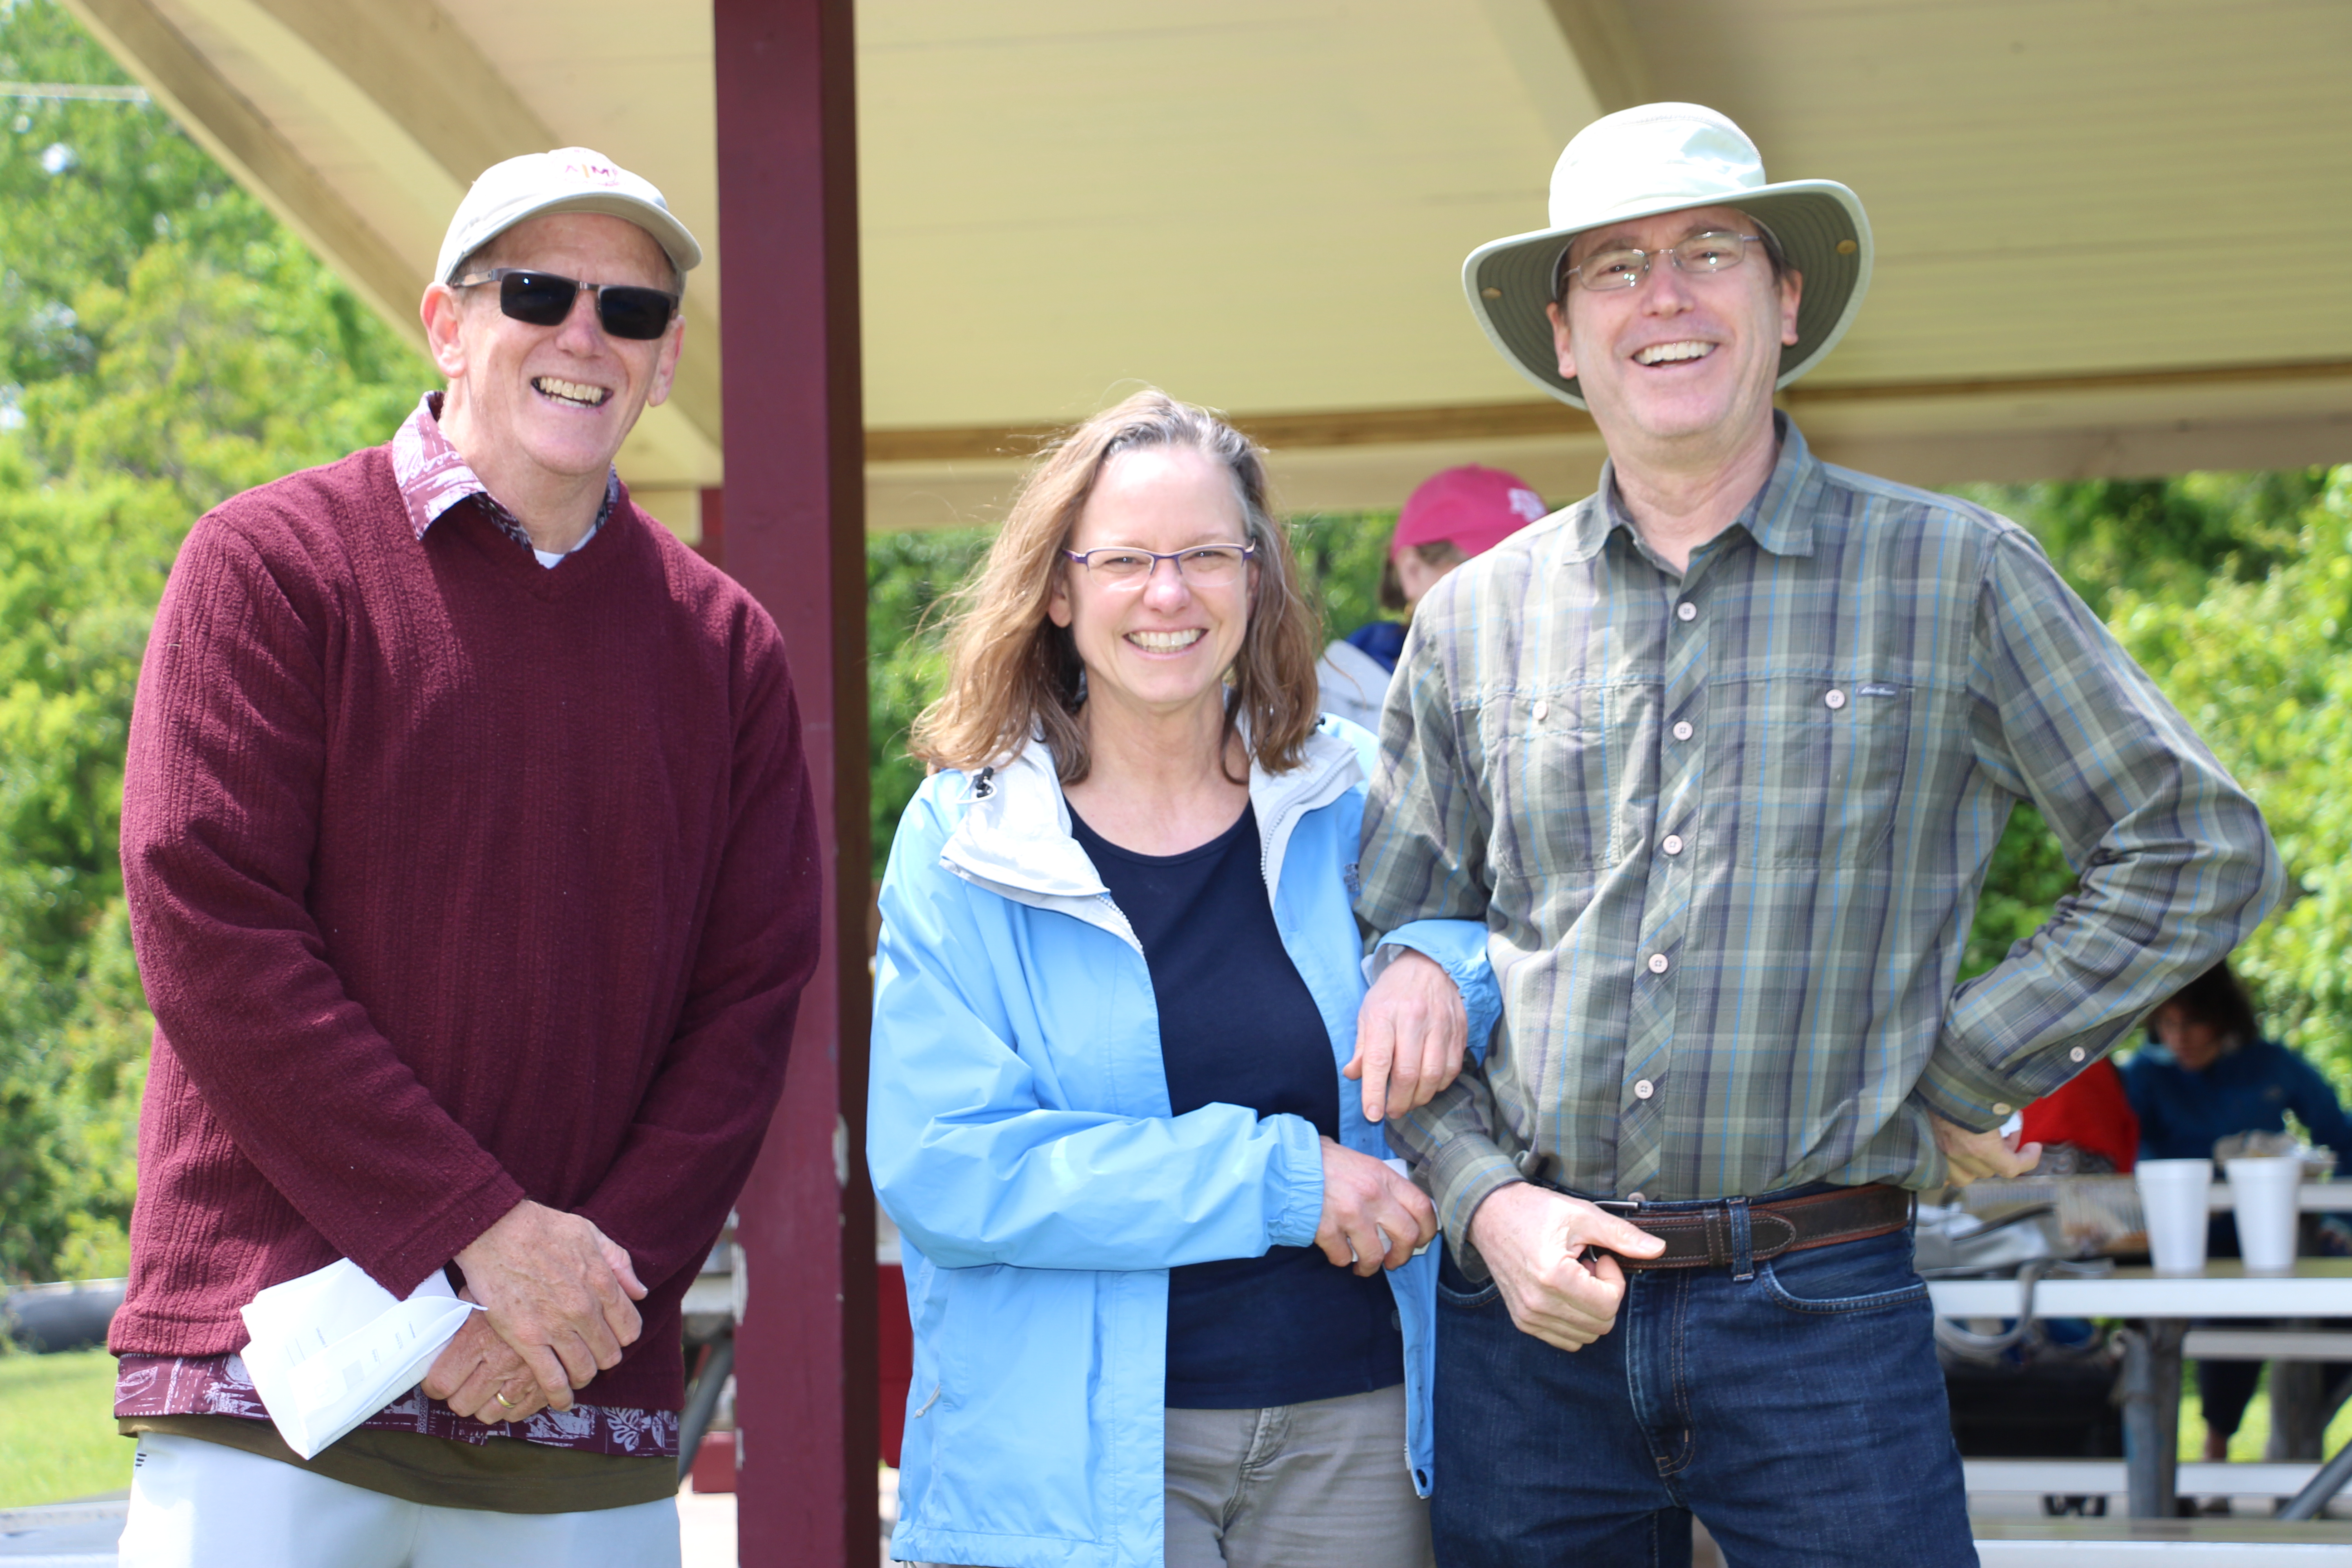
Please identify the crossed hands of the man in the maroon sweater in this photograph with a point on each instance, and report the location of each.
(559, 1306)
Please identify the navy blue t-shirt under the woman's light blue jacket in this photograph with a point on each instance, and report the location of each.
(1241, 1028)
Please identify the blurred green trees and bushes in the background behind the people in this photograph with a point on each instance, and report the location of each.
(166, 342)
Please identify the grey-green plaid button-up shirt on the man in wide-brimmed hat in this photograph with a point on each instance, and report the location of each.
(1728, 831)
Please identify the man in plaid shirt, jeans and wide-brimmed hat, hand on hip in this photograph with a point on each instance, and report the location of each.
(1720, 756)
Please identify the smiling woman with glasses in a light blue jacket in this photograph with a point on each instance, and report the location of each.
(1165, 1292)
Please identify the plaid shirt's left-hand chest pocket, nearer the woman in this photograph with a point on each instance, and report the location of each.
(1558, 772)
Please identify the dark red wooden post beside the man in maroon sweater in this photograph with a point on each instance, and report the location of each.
(796, 535)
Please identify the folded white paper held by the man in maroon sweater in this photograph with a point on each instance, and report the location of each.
(333, 1348)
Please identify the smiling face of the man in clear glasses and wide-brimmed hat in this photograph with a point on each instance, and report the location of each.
(1681, 356)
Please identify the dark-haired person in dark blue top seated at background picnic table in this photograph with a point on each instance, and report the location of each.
(2210, 1073)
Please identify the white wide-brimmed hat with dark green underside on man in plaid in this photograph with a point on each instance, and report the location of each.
(1662, 159)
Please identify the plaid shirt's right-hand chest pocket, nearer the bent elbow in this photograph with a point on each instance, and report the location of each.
(1808, 770)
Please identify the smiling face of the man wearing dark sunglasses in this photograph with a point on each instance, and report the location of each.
(554, 398)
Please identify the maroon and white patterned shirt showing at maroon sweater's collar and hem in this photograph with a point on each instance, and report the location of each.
(432, 481)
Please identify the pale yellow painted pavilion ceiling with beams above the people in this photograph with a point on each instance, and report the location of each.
(2113, 234)
